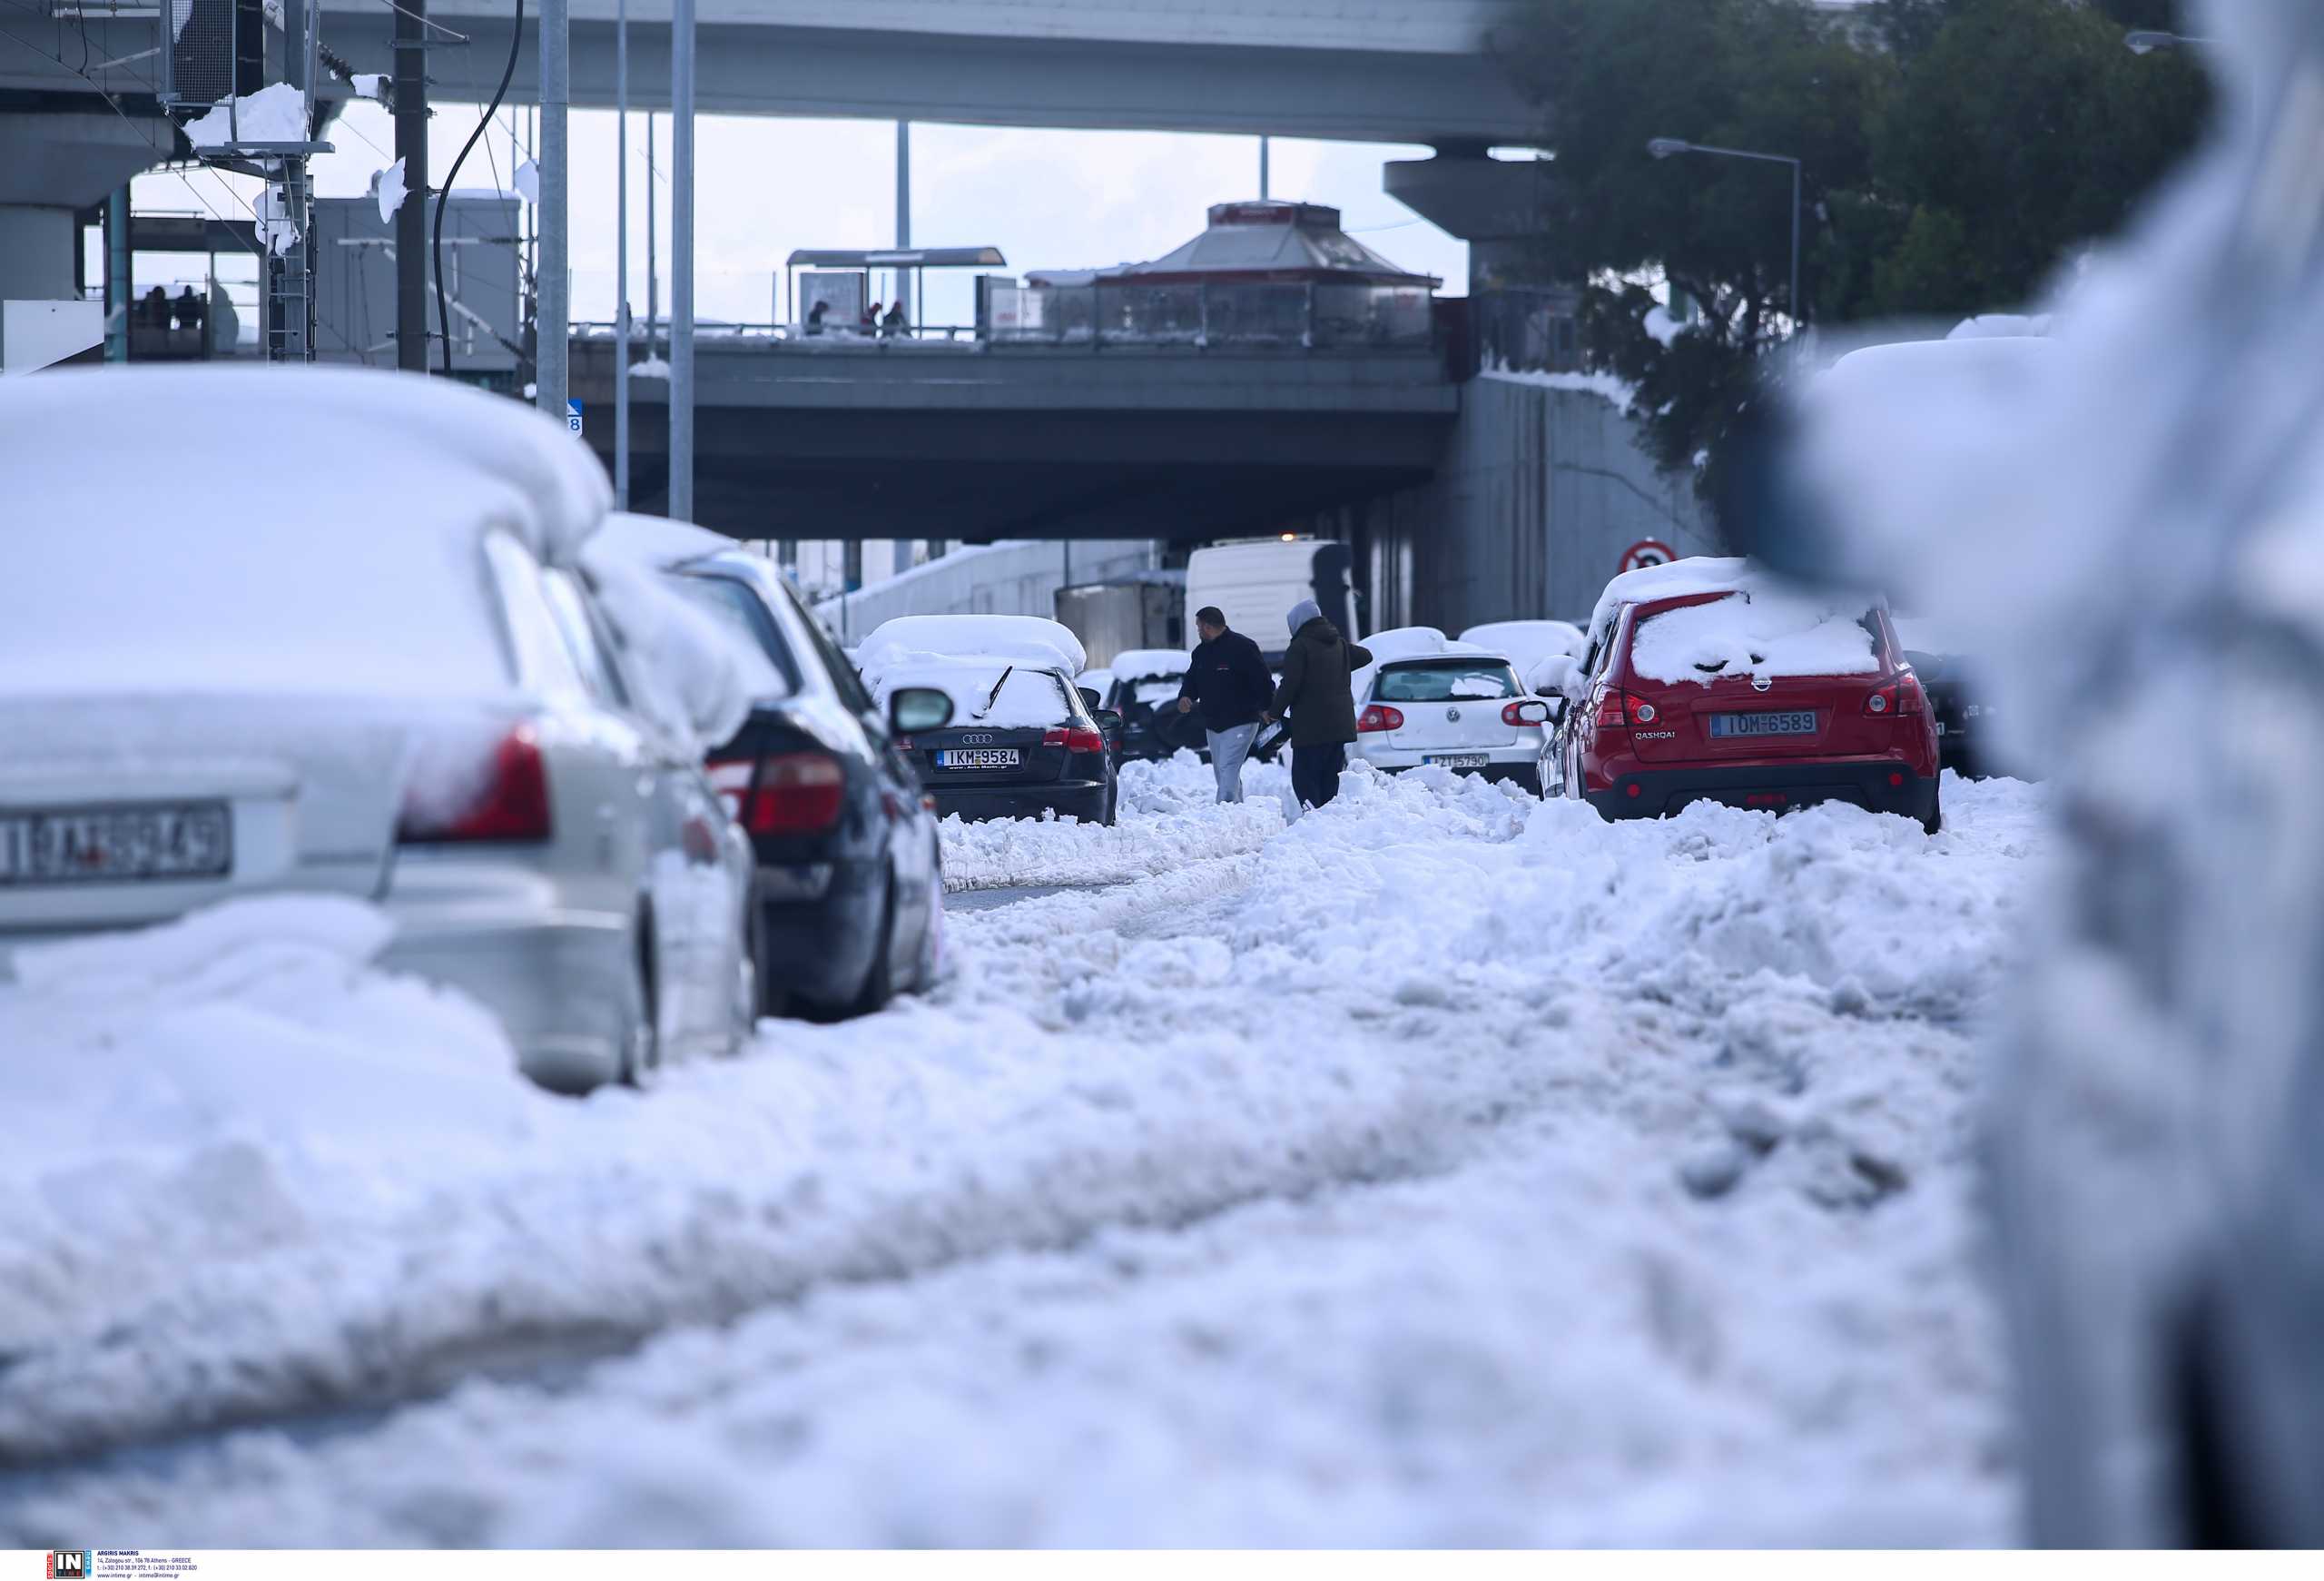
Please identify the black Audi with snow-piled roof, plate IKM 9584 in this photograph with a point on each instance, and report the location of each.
(1021, 741)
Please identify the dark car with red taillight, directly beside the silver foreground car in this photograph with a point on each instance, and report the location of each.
(849, 892)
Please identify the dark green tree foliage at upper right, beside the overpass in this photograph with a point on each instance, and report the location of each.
(1956, 155)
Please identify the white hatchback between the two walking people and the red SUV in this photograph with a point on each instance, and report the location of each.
(1433, 701)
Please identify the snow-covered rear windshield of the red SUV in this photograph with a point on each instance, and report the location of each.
(1760, 634)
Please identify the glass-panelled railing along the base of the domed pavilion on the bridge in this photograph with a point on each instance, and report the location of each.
(1212, 315)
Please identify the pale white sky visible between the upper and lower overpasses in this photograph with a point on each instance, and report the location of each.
(766, 187)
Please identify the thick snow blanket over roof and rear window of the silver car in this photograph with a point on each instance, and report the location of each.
(273, 529)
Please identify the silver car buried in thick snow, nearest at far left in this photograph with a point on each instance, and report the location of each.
(389, 682)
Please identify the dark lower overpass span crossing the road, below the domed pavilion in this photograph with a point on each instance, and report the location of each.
(989, 441)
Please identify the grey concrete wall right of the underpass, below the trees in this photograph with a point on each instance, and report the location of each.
(1540, 494)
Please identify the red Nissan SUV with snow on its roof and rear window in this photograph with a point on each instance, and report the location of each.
(1744, 696)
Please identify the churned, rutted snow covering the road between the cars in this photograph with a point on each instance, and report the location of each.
(1442, 1168)
